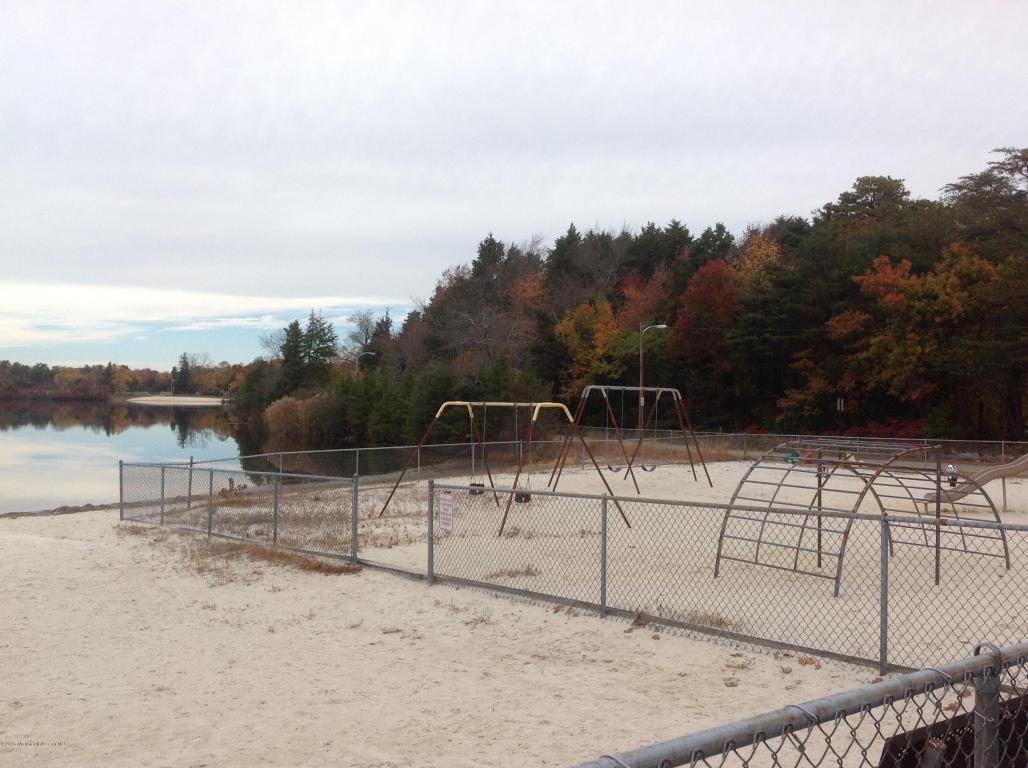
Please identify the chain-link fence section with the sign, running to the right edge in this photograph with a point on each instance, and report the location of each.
(656, 559)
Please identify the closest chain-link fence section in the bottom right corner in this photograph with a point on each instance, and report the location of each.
(969, 713)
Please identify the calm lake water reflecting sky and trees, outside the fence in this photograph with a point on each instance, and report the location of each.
(67, 454)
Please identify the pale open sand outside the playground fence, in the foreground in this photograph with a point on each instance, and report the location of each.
(120, 649)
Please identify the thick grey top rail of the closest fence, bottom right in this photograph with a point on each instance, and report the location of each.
(793, 718)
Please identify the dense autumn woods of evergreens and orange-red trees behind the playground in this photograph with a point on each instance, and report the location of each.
(879, 314)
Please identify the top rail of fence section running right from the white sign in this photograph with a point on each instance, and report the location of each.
(930, 520)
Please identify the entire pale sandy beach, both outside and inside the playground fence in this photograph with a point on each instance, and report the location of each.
(132, 645)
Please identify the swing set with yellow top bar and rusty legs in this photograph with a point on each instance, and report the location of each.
(517, 495)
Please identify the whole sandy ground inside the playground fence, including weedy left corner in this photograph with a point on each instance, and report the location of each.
(664, 566)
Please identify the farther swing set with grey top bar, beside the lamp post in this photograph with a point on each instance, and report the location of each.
(685, 429)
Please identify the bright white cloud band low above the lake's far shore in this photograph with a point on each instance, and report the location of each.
(34, 315)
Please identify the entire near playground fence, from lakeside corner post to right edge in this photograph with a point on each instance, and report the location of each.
(635, 557)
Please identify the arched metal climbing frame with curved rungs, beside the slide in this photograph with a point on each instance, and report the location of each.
(827, 481)
